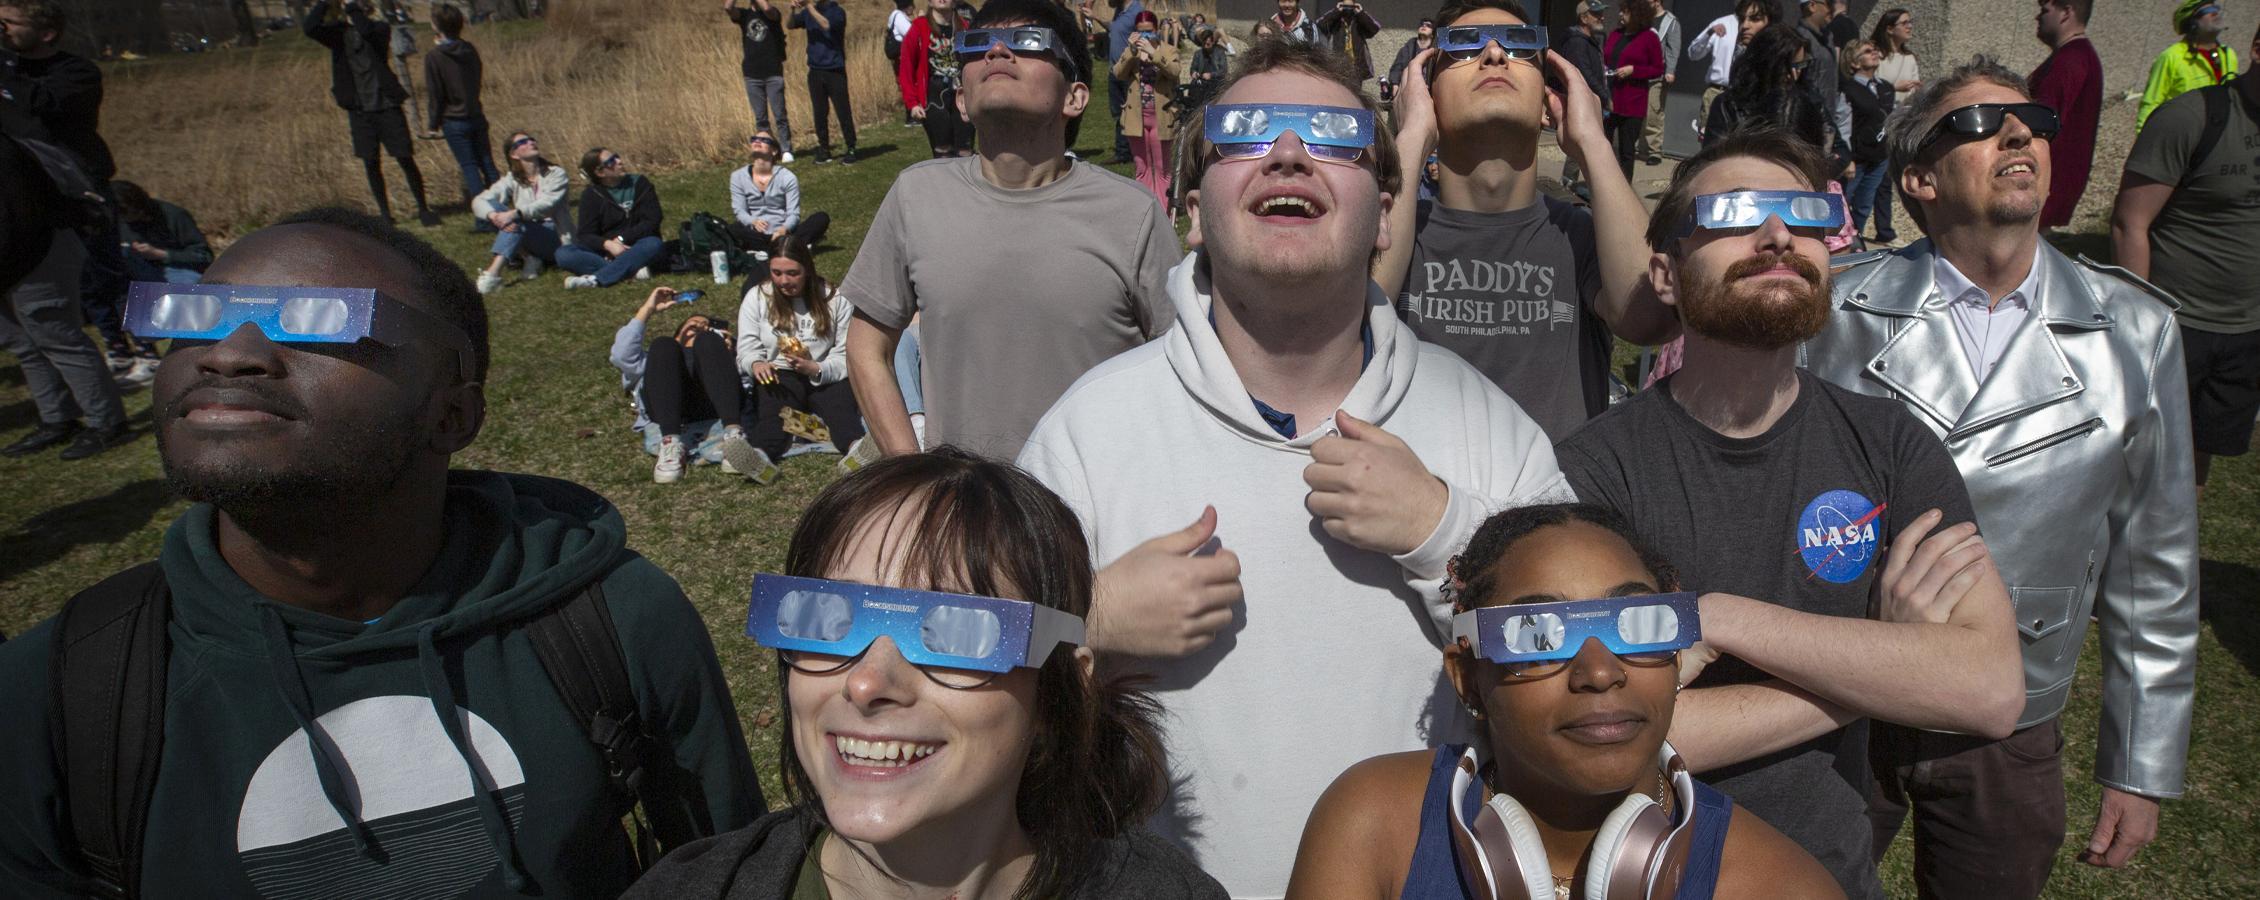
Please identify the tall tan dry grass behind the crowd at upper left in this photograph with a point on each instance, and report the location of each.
(250, 135)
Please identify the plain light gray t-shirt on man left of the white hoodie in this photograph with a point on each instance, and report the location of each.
(1018, 291)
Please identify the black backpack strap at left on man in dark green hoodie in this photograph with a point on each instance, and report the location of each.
(107, 722)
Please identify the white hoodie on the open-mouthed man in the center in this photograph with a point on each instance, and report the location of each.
(1335, 657)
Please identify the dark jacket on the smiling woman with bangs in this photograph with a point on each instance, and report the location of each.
(763, 863)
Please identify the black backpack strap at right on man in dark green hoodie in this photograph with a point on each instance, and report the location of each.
(591, 673)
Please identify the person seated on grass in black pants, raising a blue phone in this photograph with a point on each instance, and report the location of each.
(684, 379)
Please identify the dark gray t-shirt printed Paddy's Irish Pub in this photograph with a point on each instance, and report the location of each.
(1513, 295)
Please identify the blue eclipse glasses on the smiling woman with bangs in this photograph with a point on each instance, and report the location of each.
(959, 641)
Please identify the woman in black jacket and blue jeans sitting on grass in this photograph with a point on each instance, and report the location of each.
(620, 225)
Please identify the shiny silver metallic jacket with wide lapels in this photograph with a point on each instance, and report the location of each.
(2078, 460)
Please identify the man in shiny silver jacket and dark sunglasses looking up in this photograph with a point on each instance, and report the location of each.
(2060, 392)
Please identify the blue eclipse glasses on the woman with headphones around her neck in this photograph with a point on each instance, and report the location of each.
(1536, 641)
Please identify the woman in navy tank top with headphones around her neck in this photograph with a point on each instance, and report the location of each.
(1567, 747)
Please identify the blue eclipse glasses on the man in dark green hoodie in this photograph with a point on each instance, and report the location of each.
(288, 315)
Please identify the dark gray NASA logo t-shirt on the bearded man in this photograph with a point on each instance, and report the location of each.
(1798, 519)
